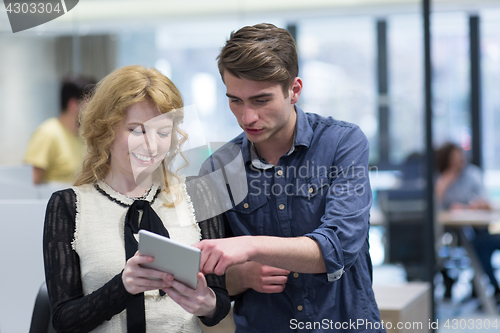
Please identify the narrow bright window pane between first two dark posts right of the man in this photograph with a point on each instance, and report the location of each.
(406, 88)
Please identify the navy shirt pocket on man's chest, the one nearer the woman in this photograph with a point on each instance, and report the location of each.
(248, 216)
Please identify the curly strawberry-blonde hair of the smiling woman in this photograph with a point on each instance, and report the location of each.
(106, 108)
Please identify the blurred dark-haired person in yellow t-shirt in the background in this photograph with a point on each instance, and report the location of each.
(55, 150)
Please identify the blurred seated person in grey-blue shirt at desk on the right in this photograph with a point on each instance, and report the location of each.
(460, 186)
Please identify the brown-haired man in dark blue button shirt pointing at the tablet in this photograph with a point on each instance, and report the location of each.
(308, 204)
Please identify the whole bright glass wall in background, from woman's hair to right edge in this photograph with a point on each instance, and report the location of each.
(338, 59)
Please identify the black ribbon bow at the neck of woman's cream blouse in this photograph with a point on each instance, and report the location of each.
(136, 315)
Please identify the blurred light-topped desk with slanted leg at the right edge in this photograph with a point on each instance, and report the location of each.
(456, 220)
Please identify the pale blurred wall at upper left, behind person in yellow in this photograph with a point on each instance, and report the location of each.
(28, 91)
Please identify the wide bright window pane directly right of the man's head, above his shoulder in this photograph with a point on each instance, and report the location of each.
(337, 63)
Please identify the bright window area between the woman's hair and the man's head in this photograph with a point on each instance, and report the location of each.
(189, 53)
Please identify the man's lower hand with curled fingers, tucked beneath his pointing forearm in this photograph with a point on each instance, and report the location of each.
(261, 278)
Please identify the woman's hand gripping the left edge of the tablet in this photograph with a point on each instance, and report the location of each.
(137, 279)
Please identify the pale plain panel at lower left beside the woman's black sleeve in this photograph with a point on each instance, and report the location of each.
(22, 270)
